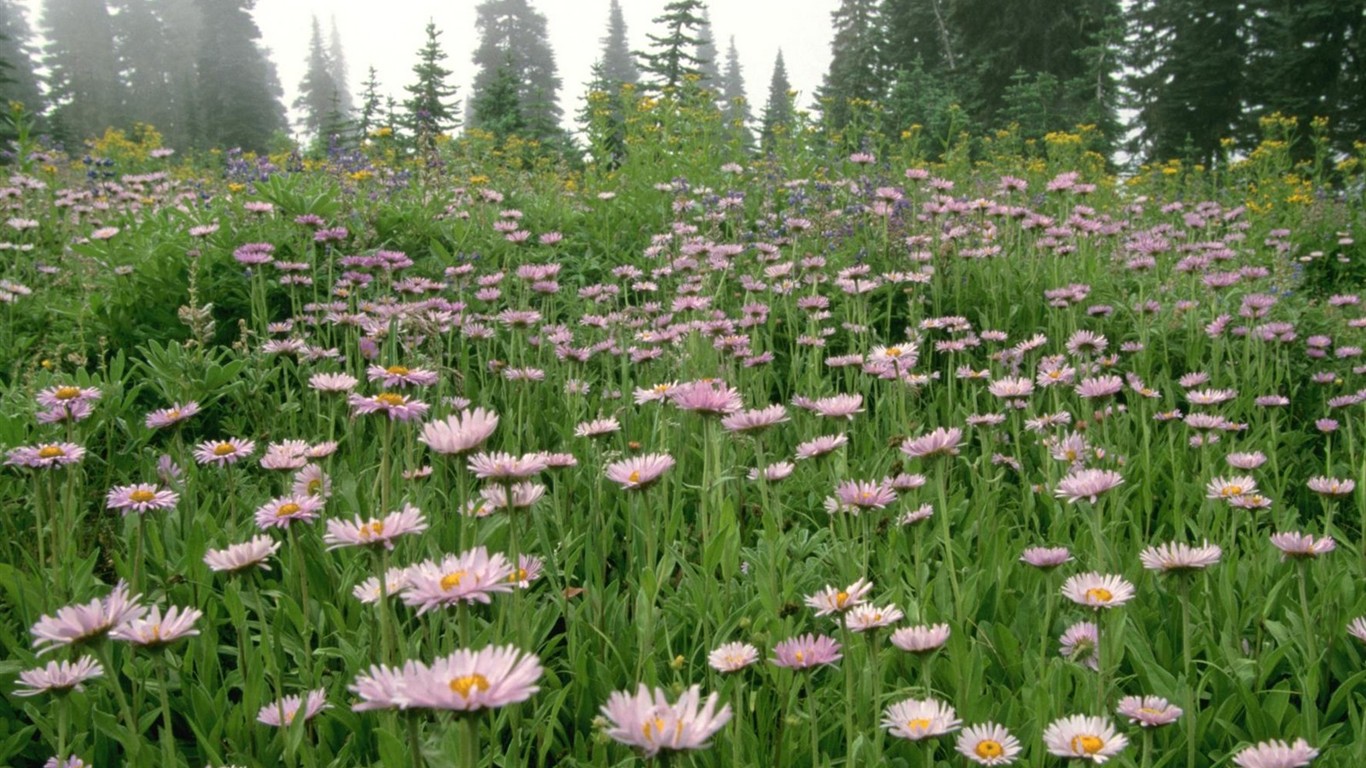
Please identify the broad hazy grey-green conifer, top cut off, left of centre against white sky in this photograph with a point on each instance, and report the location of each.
(514, 35)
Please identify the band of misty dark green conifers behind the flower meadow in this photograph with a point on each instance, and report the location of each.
(1190, 79)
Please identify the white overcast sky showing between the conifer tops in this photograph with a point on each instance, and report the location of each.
(389, 33)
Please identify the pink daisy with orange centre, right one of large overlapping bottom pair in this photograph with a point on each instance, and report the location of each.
(469, 681)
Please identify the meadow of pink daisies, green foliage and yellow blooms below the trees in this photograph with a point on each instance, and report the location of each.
(834, 457)
